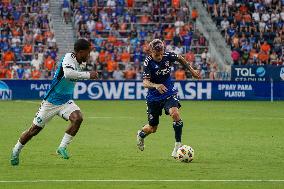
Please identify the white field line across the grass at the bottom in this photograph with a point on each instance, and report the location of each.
(103, 180)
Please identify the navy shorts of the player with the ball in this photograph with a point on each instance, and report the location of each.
(155, 108)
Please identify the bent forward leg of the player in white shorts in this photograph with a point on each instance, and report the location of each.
(76, 119)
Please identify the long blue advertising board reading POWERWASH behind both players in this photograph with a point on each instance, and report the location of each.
(134, 90)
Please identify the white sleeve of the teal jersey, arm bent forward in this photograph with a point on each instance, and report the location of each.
(69, 68)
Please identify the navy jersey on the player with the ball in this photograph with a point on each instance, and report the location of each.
(160, 73)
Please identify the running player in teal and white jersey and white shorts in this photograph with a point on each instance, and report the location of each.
(58, 100)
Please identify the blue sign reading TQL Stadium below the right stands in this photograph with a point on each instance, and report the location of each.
(257, 73)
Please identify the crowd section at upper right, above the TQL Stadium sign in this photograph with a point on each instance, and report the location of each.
(253, 29)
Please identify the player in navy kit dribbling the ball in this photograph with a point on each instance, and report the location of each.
(161, 94)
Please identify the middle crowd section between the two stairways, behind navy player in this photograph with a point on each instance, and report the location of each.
(120, 31)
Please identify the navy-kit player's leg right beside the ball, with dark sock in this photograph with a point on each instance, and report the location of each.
(177, 125)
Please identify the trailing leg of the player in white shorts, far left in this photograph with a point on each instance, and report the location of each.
(25, 137)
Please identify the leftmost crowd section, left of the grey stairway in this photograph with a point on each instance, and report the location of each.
(27, 44)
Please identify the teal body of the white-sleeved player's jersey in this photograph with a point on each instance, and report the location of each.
(61, 90)
